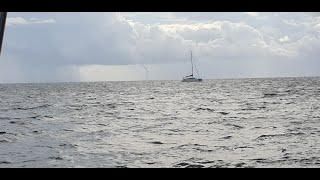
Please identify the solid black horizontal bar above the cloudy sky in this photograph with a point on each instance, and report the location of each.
(159, 6)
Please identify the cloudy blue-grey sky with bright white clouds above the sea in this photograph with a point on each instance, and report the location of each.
(123, 46)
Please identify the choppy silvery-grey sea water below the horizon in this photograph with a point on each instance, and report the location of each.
(163, 124)
